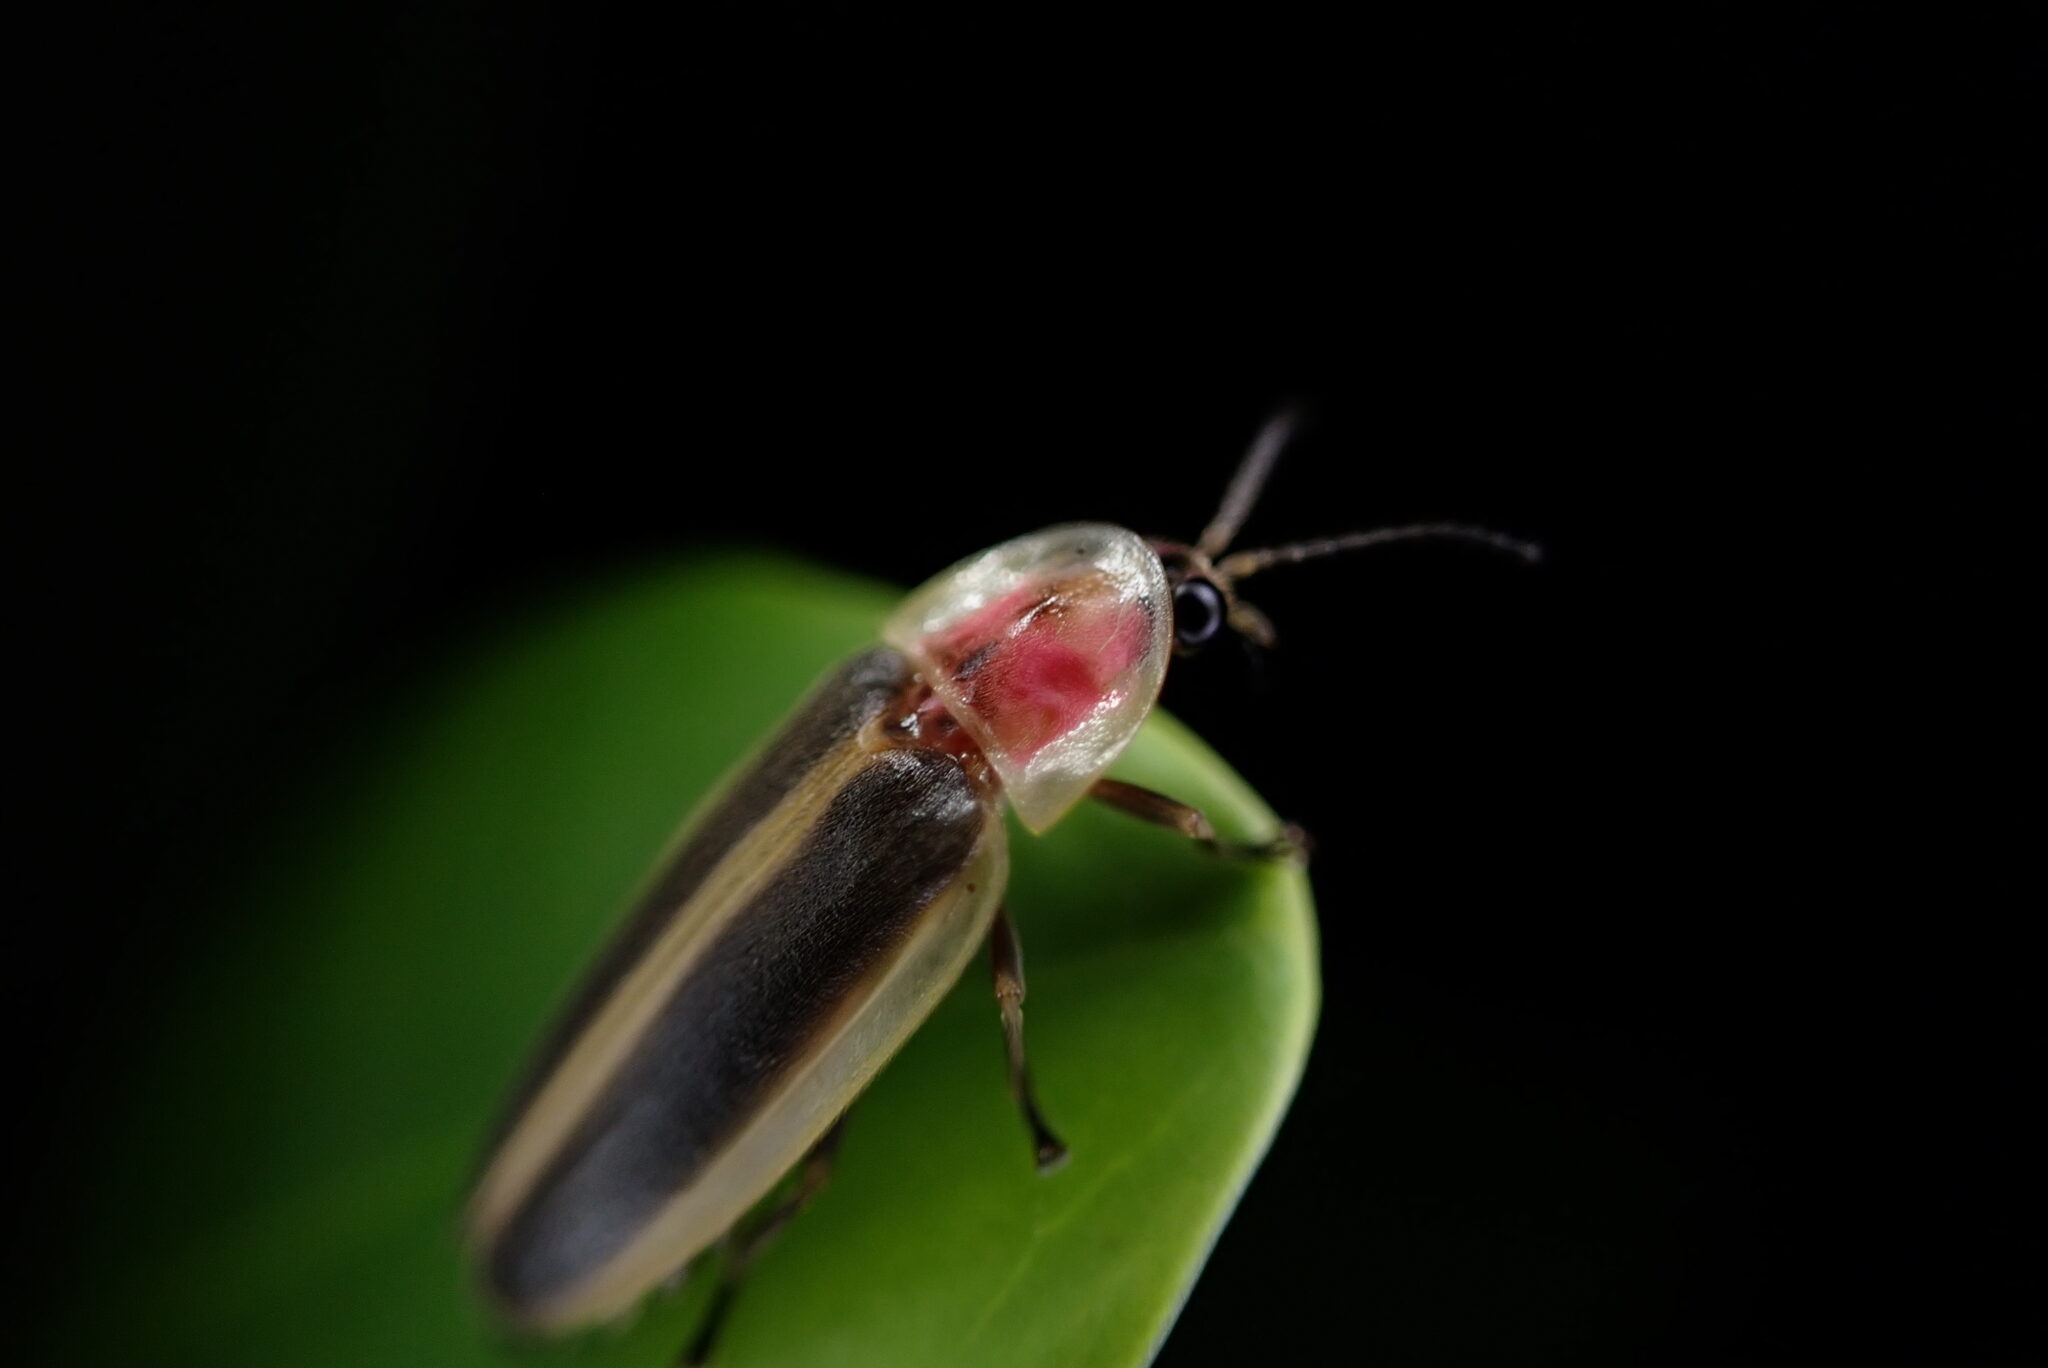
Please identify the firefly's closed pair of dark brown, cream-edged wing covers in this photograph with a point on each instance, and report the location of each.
(802, 931)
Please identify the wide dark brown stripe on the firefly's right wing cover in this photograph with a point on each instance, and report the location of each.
(890, 843)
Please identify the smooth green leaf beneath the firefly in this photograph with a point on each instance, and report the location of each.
(290, 1166)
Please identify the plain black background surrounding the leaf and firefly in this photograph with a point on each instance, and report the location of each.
(1676, 1000)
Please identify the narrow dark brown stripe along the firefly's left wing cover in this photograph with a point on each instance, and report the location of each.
(835, 712)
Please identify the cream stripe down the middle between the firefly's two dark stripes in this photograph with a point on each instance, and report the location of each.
(638, 1000)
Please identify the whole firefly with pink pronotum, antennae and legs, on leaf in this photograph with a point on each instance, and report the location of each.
(816, 910)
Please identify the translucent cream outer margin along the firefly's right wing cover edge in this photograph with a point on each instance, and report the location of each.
(847, 1054)
